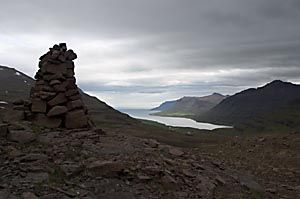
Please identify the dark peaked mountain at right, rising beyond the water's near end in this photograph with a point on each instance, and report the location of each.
(257, 105)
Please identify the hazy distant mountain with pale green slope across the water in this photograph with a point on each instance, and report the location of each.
(189, 106)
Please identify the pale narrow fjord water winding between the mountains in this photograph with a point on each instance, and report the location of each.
(170, 121)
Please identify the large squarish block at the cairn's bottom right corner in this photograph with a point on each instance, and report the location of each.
(76, 119)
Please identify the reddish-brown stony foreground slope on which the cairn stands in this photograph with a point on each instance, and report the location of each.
(37, 163)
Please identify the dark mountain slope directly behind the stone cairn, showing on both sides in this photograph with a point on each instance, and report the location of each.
(17, 85)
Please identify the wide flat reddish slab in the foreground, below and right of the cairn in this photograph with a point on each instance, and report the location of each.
(106, 168)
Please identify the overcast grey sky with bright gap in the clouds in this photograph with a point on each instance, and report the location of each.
(139, 53)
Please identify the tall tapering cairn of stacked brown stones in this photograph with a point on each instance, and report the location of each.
(56, 100)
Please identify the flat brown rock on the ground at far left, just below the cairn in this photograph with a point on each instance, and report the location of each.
(21, 136)
